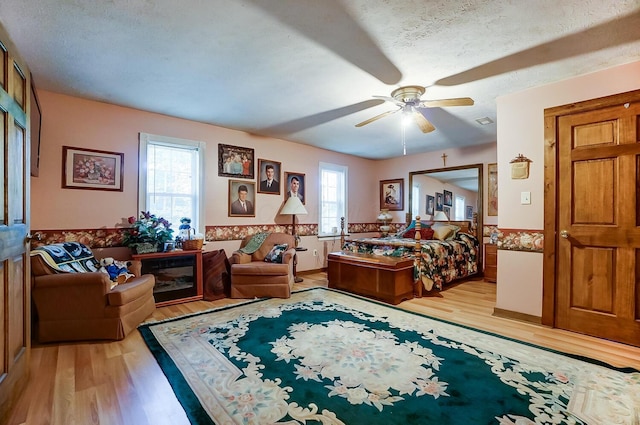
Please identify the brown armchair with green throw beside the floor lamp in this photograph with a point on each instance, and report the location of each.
(251, 276)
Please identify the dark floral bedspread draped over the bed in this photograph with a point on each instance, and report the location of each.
(440, 262)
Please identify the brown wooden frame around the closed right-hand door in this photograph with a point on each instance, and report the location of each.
(551, 237)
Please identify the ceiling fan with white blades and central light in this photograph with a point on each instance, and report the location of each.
(408, 100)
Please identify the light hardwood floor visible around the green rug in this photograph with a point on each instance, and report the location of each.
(120, 382)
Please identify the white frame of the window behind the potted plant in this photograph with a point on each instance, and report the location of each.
(146, 139)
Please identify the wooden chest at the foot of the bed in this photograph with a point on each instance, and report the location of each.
(388, 279)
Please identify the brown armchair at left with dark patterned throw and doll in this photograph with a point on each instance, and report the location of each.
(73, 306)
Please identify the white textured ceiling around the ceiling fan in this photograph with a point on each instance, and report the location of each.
(306, 70)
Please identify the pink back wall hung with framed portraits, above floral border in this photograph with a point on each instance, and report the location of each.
(70, 121)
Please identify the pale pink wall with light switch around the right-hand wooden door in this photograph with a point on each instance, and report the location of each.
(521, 131)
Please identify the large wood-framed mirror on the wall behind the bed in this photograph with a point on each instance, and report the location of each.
(457, 191)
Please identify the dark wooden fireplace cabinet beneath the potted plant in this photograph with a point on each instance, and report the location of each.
(178, 275)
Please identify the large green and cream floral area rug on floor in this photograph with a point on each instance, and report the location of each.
(326, 357)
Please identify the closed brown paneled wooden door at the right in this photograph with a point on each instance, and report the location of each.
(597, 233)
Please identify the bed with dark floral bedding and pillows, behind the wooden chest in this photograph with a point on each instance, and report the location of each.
(439, 258)
